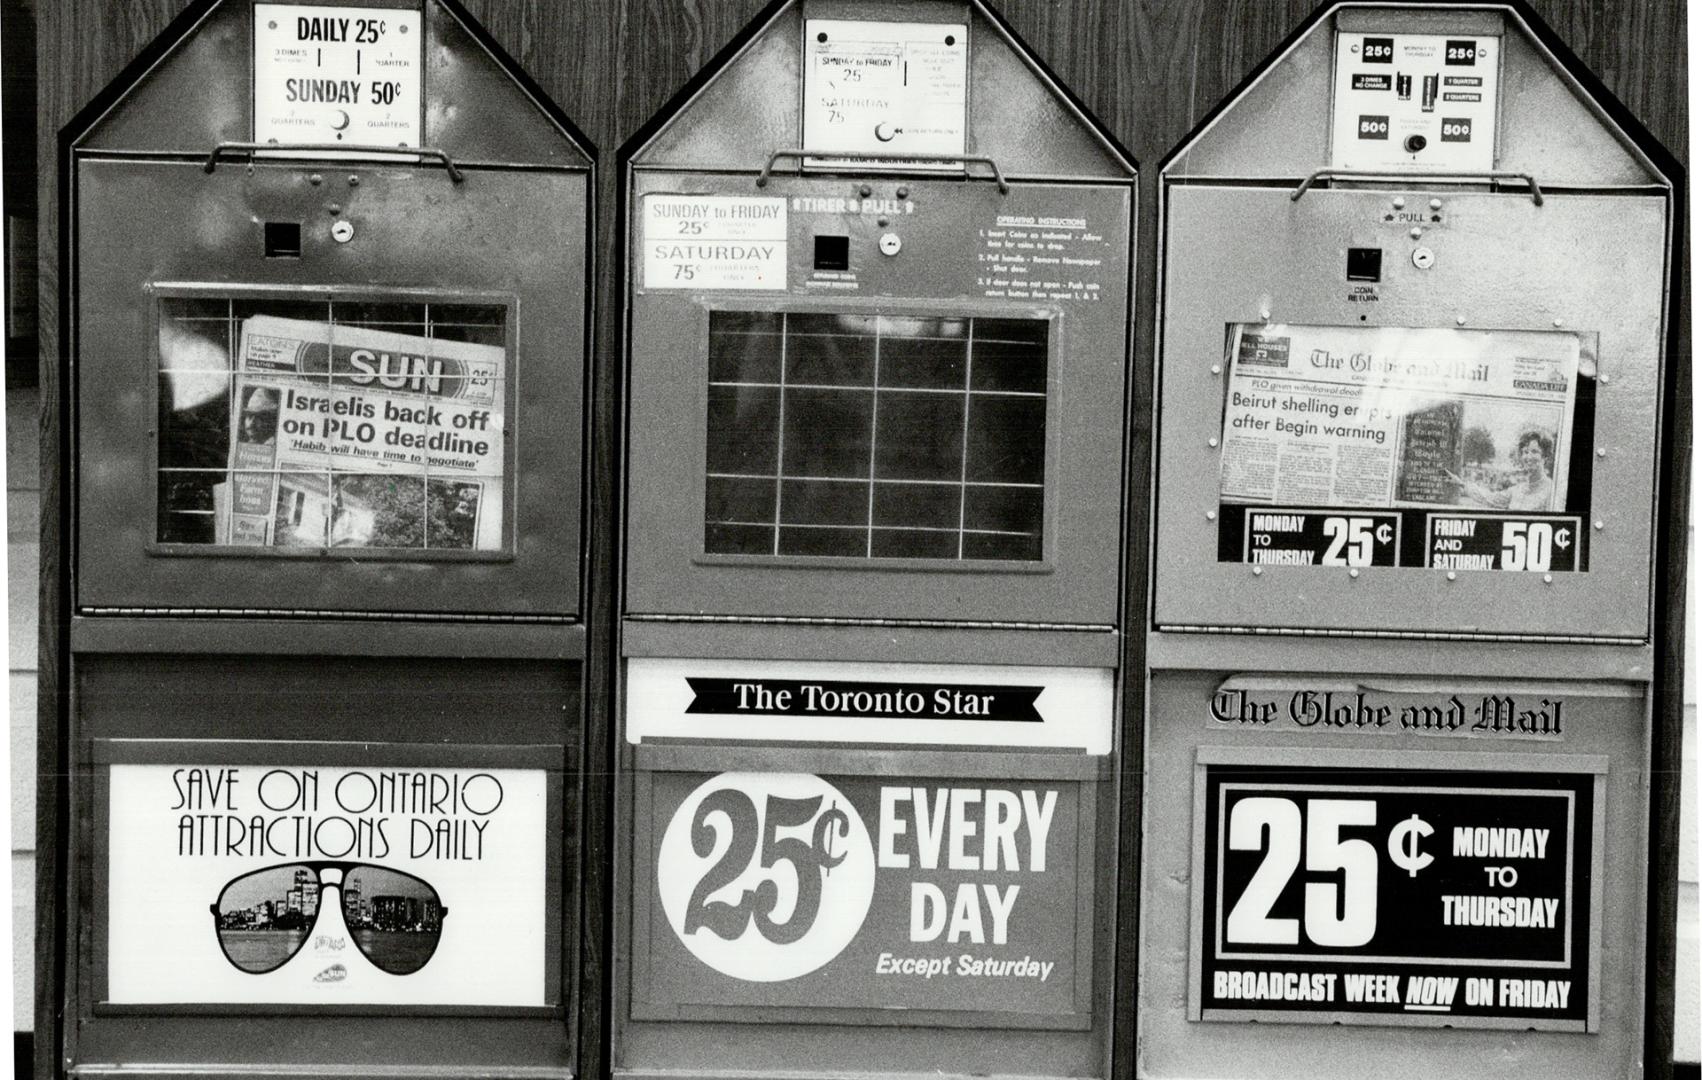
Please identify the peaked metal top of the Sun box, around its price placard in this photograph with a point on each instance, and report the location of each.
(191, 91)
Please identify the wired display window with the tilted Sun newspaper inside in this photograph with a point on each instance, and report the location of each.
(292, 424)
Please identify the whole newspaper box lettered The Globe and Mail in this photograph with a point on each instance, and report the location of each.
(1412, 365)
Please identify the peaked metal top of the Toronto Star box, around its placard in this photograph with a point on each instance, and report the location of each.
(748, 103)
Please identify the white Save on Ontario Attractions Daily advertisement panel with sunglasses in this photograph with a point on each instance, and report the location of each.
(326, 885)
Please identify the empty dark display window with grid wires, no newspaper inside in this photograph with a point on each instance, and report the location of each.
(876, 436)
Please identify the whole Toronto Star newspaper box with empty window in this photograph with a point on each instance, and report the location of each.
(877, 339)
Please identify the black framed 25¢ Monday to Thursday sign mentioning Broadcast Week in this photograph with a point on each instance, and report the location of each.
(1446, 890)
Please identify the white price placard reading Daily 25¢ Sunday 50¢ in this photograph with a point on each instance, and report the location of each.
(338, 76)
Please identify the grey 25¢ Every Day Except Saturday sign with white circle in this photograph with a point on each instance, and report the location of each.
(869, 892)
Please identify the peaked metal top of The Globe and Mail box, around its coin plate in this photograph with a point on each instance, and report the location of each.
(1556, 122)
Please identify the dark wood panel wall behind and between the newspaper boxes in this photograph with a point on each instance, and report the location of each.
(1150, 69)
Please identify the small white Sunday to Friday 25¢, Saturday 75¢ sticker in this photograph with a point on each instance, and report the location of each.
(714, 242)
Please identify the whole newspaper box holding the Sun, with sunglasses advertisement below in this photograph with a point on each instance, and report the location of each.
(326, 336)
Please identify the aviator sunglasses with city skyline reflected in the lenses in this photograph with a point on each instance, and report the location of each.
(266, 916)
